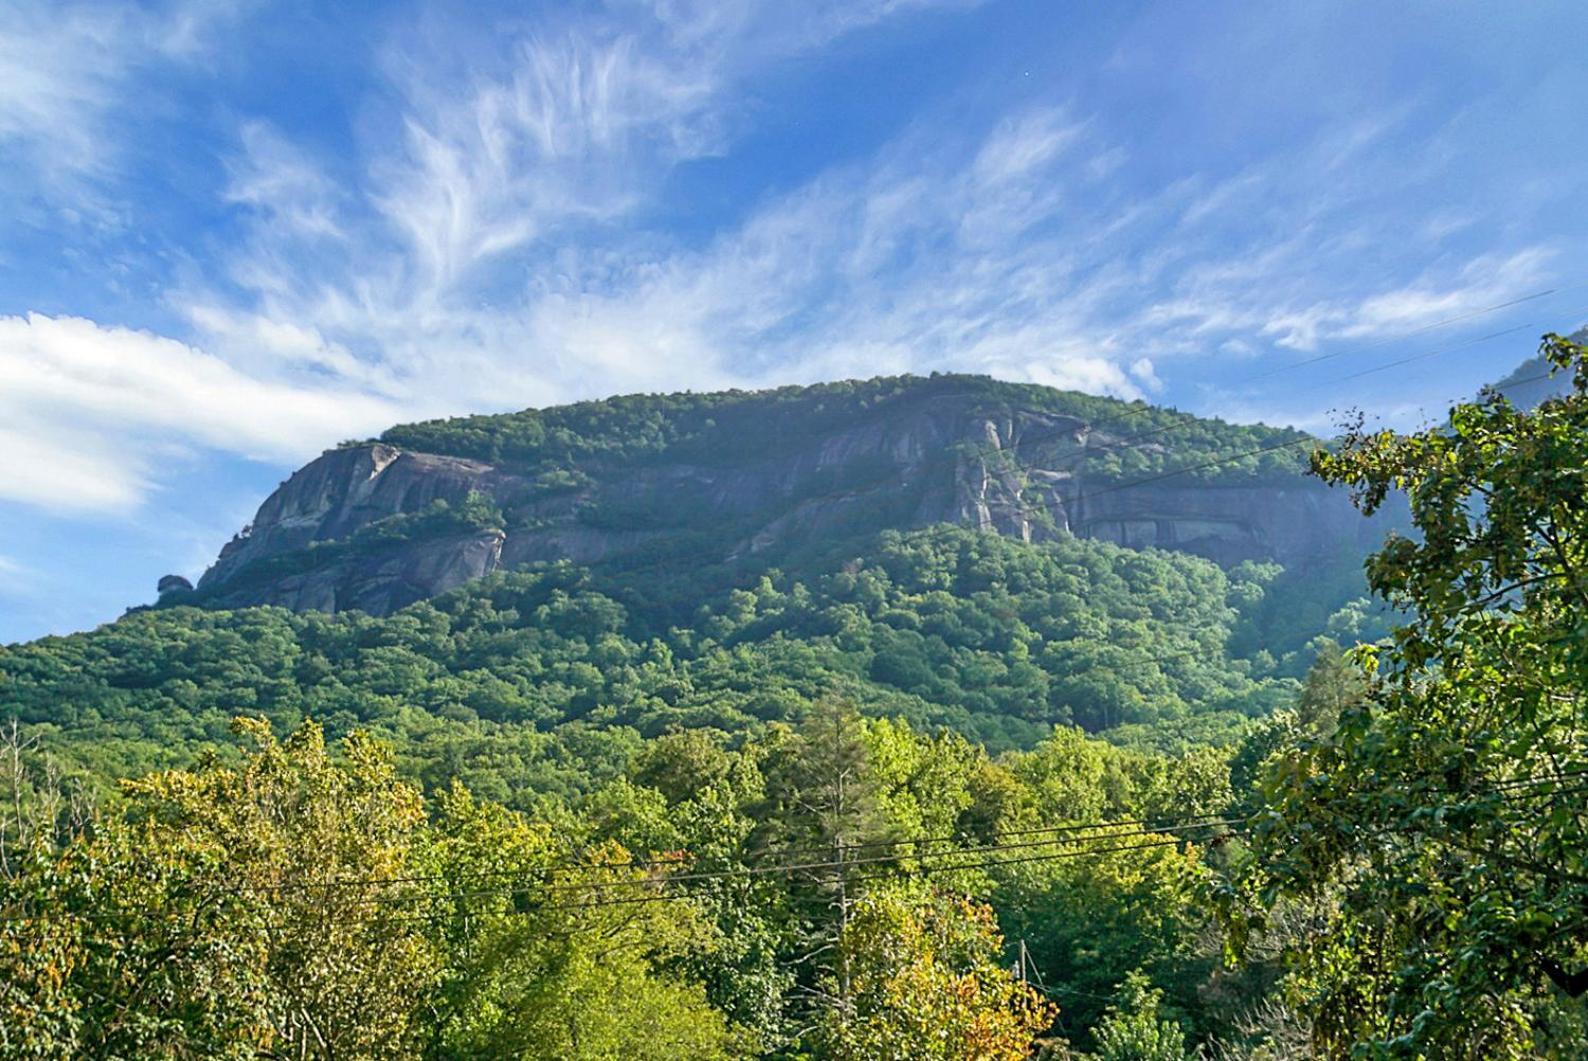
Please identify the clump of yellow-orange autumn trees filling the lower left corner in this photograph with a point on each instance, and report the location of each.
(226, 911)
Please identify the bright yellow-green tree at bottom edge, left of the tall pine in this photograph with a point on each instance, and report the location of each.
(550, 965)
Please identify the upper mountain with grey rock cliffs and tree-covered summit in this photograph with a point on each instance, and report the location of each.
(761, 479)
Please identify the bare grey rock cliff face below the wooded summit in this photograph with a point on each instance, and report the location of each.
(912, 465)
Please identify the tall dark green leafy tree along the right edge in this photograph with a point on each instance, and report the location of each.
(1441, 824)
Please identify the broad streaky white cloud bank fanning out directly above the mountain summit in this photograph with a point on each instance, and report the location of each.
(995, 252)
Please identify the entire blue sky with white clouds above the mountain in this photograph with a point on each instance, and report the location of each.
(234, 234)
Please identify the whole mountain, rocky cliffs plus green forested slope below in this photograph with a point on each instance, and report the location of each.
(522, 600)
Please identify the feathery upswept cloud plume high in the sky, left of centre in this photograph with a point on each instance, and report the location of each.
(571, 133)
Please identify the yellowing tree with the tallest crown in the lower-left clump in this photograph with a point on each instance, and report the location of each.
(323, 851)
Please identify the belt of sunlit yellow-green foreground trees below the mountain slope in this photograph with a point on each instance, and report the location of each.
(641, 920)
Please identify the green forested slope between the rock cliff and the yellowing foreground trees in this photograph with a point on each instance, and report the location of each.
(545, 681)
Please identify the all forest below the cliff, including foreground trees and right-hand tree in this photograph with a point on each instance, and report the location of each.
(931, 795)
